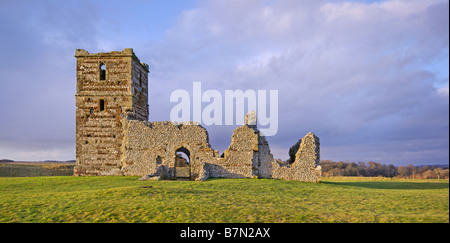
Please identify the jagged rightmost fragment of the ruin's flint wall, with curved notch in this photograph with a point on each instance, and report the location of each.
(306, 166)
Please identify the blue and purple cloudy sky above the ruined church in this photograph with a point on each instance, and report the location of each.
(370, 78)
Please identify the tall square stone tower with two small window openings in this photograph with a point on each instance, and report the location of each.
(109, 85)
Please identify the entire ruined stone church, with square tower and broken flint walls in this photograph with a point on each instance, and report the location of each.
(114, 136)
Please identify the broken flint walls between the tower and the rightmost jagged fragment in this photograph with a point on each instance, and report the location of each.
(149, 149)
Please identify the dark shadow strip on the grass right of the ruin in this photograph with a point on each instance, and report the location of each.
(391, 185)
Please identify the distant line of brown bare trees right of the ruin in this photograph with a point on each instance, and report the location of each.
(375, 169)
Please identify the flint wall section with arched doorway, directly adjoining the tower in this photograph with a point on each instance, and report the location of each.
(150, 145)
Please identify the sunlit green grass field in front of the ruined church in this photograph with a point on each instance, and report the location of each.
(125, 199)
